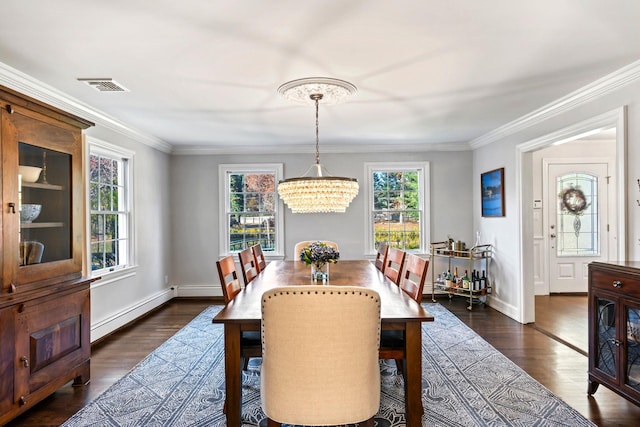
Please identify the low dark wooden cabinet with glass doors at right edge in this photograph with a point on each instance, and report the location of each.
(614, 328)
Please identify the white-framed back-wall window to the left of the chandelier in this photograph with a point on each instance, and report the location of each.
(251, 212)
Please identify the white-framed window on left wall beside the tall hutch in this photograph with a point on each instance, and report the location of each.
(110, 212)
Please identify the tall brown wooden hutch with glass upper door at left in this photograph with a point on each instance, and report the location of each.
(44, 299)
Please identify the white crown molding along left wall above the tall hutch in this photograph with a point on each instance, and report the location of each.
(27, 85)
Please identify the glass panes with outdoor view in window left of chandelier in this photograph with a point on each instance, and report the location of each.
(252, 210)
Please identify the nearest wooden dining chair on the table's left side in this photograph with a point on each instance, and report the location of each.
(250, 342)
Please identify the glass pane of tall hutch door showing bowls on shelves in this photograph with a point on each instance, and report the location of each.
(44, 204)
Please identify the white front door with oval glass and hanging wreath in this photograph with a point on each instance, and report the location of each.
(578, 227)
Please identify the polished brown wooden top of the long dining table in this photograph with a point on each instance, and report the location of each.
(395, 305)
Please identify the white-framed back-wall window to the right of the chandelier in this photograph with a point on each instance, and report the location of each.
(397, 197)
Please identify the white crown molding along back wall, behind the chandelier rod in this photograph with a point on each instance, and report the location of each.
(199, 150)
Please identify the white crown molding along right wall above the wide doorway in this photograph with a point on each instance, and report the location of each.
(603, 86)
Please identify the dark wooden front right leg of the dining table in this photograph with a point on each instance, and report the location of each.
(413, 378)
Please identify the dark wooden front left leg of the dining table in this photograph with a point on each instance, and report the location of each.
(233, 374)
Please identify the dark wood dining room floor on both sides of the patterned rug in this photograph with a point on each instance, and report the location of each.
(559, 367)
